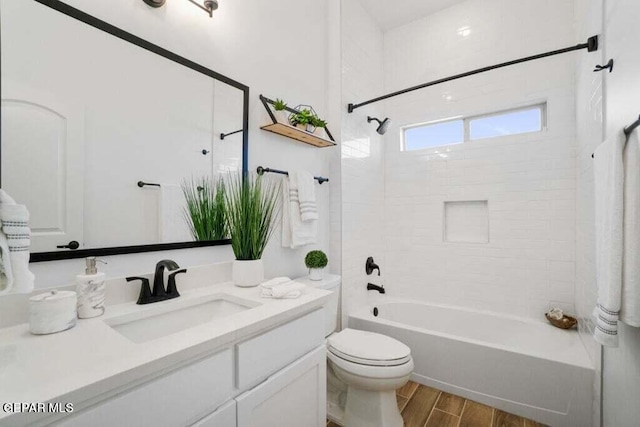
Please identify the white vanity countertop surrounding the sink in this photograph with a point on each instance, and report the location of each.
(90, 359)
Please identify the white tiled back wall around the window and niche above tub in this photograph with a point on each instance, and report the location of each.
(528, 180)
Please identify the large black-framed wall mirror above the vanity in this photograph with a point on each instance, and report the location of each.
(101, 131)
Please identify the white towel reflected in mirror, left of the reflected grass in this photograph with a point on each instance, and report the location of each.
(172, 225)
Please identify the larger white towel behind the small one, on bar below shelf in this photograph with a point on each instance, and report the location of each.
(295, 232)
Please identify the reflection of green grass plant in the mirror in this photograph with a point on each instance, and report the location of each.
(205, 209)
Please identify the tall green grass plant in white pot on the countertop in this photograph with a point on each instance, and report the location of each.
(252, 213)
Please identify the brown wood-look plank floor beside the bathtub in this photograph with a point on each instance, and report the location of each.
(423, 406)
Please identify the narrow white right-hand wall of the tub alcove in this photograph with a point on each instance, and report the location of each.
(589, 134)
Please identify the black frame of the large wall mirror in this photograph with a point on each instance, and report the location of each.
(144, 44)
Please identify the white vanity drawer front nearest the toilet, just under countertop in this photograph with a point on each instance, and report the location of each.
(265, 354)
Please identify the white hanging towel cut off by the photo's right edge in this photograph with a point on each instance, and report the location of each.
(630, 309)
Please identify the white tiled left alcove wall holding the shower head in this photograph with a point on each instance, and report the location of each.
(362, 154)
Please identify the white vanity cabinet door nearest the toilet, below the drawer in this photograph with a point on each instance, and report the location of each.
(292, 397)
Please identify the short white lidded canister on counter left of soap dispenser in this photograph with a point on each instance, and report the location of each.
(52, 312)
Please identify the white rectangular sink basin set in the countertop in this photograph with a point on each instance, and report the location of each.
(174, 316)
